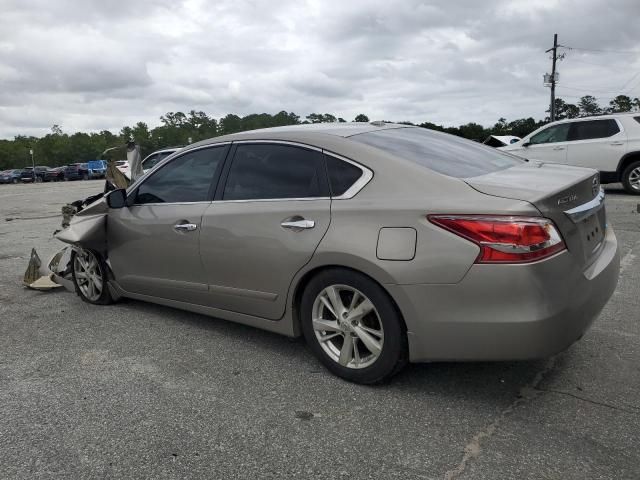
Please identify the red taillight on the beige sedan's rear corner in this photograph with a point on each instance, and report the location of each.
(507, 239)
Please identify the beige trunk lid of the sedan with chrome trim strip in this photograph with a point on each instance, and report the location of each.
(570, 196)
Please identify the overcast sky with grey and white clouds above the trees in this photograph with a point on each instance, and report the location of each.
(94, 65)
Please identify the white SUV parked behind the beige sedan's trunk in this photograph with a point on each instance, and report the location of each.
(609, 143)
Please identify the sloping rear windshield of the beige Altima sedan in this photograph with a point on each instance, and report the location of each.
(442, 153)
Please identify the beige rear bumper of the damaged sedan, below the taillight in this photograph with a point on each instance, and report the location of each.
(508, 312)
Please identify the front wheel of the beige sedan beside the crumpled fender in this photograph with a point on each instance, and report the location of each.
(90, 264)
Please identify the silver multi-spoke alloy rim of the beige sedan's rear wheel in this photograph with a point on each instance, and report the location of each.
(347, 326)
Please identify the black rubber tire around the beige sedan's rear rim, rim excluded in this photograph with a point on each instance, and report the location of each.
(394, 354)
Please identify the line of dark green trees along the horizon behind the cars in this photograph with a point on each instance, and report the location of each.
(178, 128)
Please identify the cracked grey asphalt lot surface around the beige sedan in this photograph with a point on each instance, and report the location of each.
(135, 390)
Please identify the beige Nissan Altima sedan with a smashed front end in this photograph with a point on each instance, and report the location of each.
(380, 243)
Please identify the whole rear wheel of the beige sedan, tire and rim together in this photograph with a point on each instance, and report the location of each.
(384, 327)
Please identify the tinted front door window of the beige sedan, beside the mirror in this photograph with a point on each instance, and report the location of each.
(187, 178)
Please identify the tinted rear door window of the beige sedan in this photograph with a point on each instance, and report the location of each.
(271, 171)
